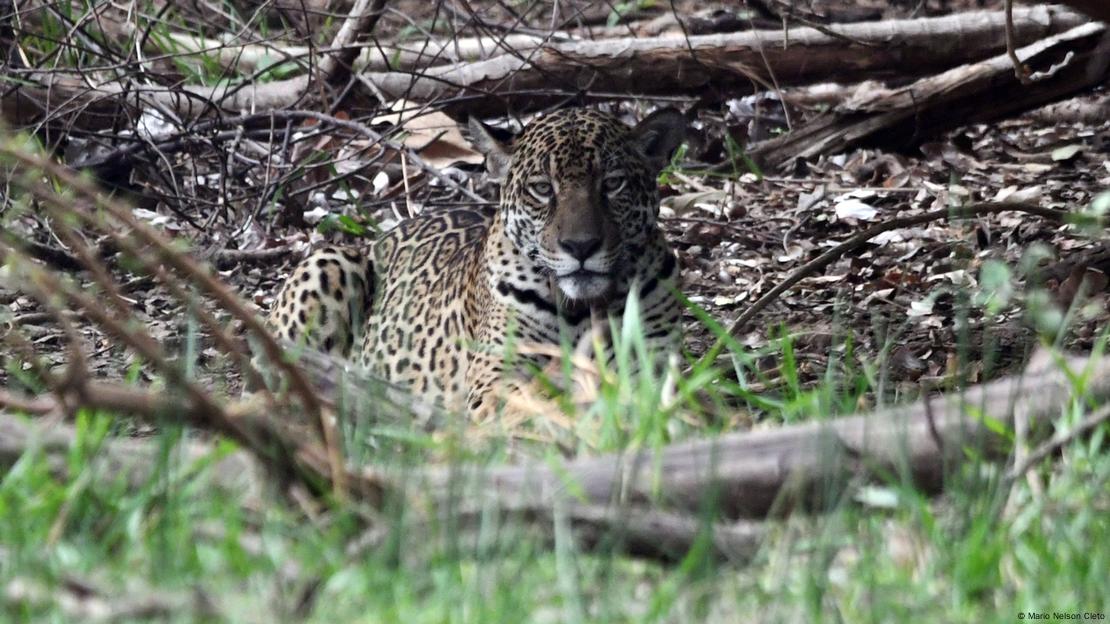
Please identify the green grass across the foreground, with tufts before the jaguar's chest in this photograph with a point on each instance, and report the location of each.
(884, 553)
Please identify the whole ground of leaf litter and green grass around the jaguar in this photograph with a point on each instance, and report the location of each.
(935, 307)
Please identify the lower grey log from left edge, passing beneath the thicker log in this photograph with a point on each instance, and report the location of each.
(640, 532)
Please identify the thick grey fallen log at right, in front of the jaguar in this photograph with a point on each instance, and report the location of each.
(755, 474)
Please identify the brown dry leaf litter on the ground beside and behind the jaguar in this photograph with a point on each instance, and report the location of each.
(912, 304)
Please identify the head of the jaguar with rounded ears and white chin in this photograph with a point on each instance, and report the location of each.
(579, 192)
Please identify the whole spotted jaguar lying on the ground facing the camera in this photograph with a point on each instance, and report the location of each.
(577, 232)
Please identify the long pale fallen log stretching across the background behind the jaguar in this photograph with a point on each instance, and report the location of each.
(721, 64)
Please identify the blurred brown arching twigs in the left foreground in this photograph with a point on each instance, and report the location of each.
(197, 404)
